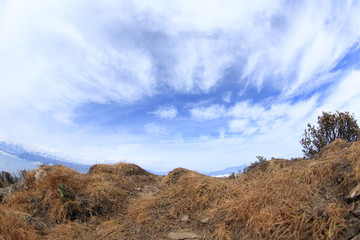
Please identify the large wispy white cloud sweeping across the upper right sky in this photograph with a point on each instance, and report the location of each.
(287, 44)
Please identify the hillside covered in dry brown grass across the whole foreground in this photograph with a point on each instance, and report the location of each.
(279, 199)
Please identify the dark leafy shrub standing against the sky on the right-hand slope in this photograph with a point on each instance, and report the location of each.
(330, 127)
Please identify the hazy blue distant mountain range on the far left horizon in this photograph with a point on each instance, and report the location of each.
(13, 156)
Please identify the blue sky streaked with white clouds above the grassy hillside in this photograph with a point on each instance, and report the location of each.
(200, 84)
